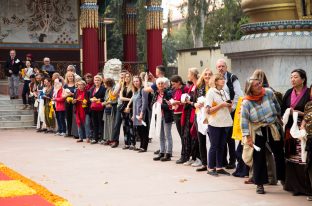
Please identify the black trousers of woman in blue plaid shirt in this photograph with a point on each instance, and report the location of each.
(260, 172)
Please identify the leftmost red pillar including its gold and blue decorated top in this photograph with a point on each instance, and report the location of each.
(90, 44)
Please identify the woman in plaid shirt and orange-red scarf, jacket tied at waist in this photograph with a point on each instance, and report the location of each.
(260, 126)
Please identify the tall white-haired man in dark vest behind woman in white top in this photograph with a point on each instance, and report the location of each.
(232, 87)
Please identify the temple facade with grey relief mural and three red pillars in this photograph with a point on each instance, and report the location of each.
(74, 32)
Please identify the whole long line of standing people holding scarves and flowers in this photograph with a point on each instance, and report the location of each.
(208, 110)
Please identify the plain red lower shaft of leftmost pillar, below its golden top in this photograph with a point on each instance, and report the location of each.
(90, 51)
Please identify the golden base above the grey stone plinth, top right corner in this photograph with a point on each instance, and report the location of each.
(276, 10)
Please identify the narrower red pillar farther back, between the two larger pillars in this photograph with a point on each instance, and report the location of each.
(129, 32)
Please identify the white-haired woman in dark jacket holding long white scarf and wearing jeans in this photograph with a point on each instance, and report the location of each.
(162, 118)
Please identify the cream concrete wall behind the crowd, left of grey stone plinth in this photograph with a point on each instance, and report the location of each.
(188, 58)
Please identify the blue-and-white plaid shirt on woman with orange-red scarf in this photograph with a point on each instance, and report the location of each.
(266, 112)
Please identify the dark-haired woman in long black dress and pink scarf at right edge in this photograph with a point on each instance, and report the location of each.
(295, 98)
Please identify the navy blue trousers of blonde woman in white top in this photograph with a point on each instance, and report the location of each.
(217, 137)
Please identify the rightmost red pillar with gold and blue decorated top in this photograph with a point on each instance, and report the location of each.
(154, 27)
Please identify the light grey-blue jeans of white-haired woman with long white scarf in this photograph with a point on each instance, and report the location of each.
(165, 137)
